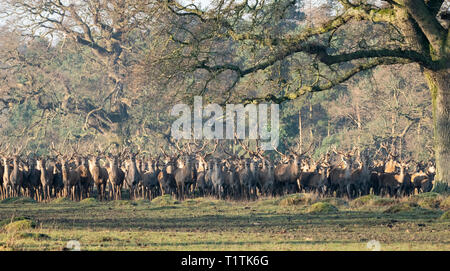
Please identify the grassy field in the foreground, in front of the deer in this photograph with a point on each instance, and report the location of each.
(295, 222)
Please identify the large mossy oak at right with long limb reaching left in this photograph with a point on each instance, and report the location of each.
(391, 32)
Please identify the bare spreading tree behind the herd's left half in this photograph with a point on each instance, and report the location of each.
(109, 31)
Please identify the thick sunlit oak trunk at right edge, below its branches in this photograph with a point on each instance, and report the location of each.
(439, 84)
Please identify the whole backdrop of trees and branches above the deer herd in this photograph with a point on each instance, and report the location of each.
(111, 69)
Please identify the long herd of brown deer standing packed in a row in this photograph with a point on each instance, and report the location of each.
(189, 171)
